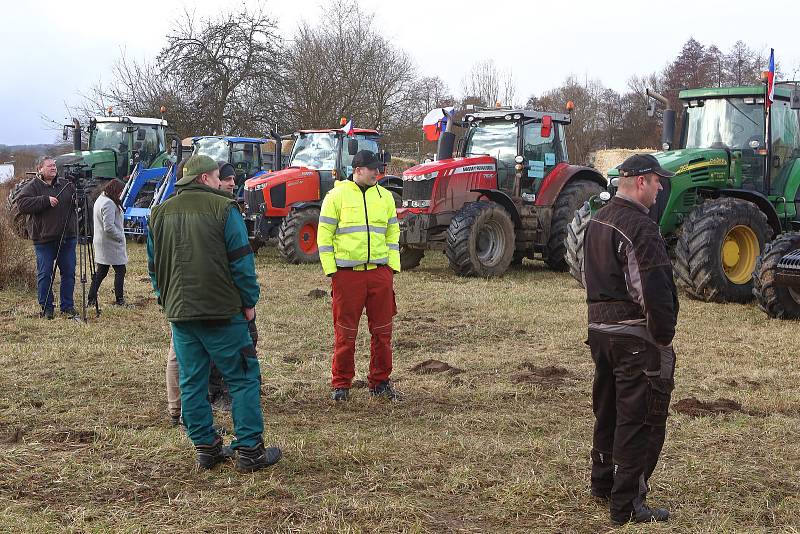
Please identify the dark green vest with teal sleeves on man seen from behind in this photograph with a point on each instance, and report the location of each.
(199, 258)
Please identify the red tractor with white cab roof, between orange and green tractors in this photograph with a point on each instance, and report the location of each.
(509, 195)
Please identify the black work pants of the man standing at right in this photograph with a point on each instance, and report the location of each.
(633, 384)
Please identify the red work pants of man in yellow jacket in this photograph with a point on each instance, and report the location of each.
(352, 291)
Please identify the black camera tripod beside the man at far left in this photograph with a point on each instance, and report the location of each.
(85, 257)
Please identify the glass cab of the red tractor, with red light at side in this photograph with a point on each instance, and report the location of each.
(518, 140)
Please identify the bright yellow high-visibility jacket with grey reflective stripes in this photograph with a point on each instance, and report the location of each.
(358, 229)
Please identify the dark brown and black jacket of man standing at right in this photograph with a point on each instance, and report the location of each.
(628, 271)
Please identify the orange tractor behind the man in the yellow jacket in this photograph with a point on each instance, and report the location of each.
(286, 203)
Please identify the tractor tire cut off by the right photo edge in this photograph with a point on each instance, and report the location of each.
(777, 301)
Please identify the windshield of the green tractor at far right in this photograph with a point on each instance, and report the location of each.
(724, 123)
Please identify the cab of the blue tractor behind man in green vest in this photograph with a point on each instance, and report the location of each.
(244, 153)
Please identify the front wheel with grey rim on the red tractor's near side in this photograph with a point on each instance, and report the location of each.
(480, 240)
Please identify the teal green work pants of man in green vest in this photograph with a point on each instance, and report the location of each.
(230, 347)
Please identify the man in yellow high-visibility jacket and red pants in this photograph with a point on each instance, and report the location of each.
(358, 240)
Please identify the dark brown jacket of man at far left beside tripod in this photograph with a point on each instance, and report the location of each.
(46, 223)
